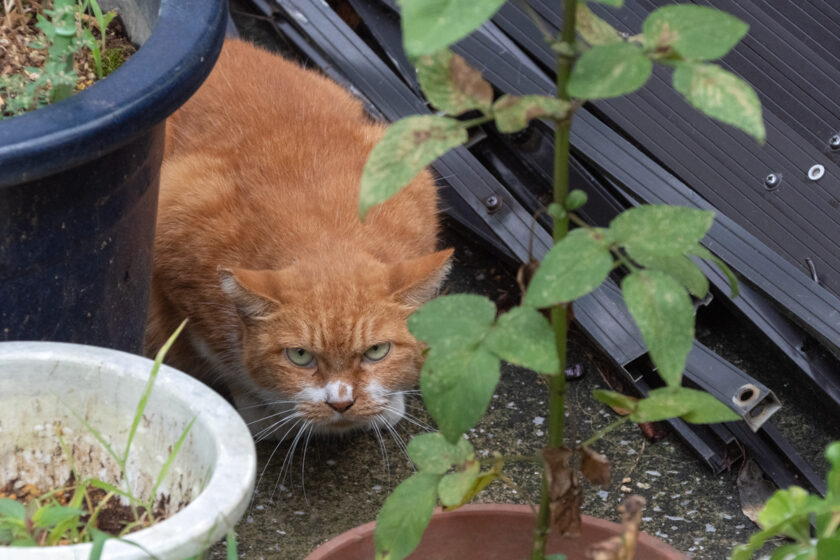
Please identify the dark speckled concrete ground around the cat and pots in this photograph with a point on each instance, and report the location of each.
(343, 481)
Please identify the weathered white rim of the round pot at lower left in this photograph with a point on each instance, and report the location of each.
(227, 492)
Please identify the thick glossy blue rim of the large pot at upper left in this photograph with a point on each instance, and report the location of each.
(151, 85)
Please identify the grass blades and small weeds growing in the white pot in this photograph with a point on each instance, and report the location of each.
(49, 520)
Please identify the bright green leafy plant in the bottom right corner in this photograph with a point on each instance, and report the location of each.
(791, 512)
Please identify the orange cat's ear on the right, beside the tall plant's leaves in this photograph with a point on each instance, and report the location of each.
(416, 281)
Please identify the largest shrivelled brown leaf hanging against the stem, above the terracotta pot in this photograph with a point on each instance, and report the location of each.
(563, 491)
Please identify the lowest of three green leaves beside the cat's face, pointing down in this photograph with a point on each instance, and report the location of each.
(457, 388)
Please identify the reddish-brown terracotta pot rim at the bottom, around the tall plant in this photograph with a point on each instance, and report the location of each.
(474, 510)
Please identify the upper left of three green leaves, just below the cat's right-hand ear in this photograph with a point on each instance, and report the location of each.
(452, 323)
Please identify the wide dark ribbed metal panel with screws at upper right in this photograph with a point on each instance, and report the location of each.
(799, 219)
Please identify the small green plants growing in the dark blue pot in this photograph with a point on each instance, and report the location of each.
(64, 37)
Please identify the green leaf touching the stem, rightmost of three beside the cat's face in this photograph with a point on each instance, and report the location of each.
(524, 337)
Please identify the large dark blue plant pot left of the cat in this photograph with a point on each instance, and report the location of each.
(79, 184)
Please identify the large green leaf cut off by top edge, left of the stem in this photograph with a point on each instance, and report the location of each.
(430, 25)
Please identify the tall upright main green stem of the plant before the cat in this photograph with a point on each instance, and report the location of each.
(557, 383)
